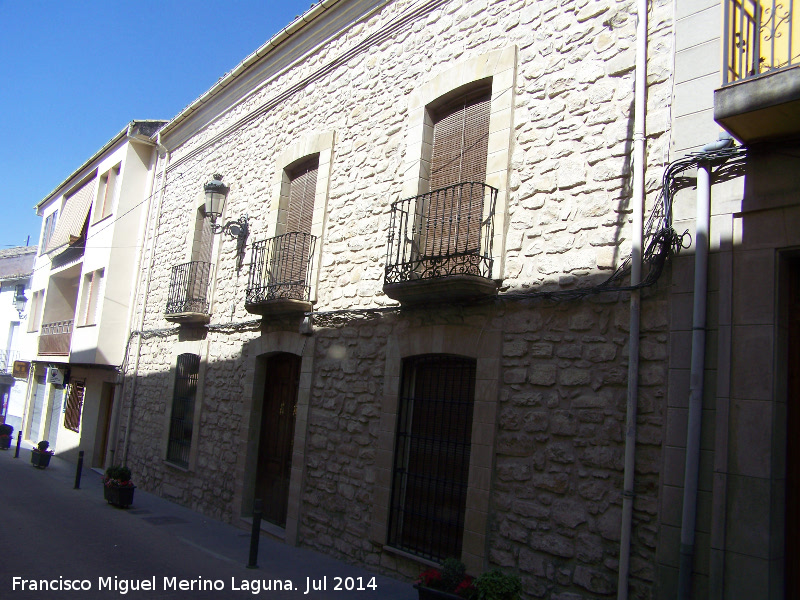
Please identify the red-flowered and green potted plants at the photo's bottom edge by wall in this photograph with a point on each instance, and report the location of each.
(451, 582)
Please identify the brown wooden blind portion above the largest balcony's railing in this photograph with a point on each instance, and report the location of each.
(461, 140)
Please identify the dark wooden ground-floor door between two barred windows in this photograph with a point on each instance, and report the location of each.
(277, 435)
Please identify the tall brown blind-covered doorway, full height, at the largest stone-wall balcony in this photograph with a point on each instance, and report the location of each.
(450, 215)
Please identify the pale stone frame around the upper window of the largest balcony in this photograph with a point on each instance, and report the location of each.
(500, 68)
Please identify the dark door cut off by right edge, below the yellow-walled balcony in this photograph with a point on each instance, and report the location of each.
(792, 442)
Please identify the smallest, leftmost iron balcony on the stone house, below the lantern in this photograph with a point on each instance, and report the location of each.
(188, 293)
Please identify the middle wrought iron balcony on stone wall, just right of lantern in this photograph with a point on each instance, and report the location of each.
(280, 274)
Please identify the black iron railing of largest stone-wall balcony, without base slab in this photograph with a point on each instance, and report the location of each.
(442, 233)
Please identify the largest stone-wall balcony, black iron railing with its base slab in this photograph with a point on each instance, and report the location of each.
(440, 245)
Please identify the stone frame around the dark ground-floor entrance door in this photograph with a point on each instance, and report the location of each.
(256, 350)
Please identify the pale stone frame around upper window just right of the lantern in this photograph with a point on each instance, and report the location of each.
(320, 144)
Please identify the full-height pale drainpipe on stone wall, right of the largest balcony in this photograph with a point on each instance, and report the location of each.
(640, 106)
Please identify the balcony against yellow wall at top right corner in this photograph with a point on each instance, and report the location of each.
(760, 95)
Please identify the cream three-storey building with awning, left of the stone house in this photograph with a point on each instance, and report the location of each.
(80, 308)
